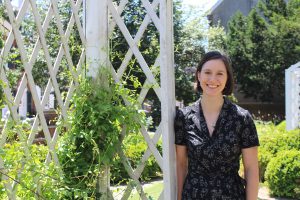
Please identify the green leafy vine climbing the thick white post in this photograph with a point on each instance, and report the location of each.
(97, 116)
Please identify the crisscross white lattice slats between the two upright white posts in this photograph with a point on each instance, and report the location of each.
(134, 36)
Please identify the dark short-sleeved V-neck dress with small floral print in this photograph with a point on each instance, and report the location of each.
(213, 162)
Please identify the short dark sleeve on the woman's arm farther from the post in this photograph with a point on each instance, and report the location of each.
(249, 137)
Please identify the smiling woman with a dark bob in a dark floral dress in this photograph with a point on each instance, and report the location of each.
(210, 137)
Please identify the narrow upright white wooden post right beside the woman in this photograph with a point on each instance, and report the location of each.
(168, 97)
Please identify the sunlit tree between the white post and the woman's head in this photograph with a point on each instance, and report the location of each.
(189, 42)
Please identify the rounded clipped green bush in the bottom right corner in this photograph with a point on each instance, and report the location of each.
(283, 174)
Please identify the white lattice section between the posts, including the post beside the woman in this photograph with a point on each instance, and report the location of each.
(165, 61)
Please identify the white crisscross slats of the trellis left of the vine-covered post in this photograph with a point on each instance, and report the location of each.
(28, 59)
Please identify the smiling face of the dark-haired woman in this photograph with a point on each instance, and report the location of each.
(213, 77)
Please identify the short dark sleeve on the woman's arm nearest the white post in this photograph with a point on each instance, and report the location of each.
(179, 128)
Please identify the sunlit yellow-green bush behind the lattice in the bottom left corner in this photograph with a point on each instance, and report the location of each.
(34, 171)
